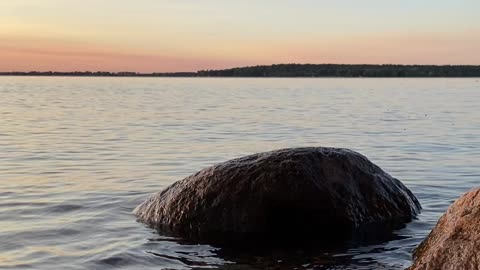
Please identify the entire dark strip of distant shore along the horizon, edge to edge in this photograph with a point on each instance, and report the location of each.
(293, 71)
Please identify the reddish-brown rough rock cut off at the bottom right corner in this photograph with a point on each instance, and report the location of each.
(454, 243)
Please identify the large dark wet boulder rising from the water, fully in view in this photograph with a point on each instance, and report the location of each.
(325, 194)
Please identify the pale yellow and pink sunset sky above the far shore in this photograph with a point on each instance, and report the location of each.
(191, 35)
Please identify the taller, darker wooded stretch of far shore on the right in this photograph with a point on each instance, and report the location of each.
(333, 70)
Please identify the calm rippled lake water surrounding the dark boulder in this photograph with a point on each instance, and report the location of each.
(78, 154)
